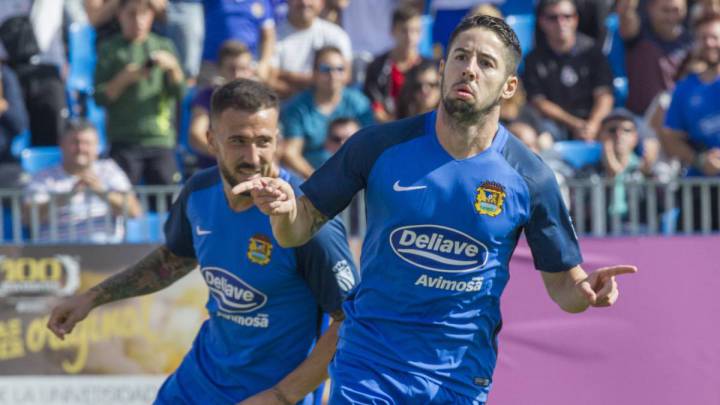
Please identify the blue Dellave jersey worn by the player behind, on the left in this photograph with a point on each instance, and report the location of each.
(265, 300)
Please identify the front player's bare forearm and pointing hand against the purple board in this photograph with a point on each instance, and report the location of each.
(574, 290)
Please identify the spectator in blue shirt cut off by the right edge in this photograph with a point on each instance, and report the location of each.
(692, 132)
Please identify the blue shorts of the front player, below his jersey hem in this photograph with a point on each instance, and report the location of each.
(356, 383)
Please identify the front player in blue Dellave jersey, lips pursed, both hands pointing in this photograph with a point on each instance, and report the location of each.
(447, 195)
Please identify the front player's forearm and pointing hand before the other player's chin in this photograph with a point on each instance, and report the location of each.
(294, 221)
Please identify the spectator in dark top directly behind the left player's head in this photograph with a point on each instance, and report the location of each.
(235, 61)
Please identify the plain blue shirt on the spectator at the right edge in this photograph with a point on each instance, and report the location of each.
(695, 111)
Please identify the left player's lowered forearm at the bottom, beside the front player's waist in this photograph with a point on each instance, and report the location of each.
(307, 376)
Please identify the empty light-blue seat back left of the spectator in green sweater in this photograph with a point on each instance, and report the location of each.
(81, 56)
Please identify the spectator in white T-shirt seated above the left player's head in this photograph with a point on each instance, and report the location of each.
(298, 39)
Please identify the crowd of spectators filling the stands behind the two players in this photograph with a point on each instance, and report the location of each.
(340, 65)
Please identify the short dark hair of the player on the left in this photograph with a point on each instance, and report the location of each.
(244, 95)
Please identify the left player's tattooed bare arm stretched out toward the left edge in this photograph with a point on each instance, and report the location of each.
(157, 270)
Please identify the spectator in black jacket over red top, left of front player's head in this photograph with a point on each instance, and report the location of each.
(386, 74)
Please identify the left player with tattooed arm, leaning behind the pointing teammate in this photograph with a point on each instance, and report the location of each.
(264, 298)
